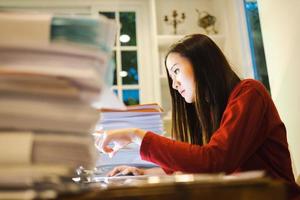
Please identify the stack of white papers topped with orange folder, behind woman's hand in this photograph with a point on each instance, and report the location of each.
(147, 117)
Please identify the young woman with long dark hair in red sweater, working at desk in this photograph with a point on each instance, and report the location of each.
(220, 123)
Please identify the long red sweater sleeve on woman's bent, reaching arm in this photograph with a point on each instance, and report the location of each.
(232, 144)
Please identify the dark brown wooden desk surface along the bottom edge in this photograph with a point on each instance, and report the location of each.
(258, 189)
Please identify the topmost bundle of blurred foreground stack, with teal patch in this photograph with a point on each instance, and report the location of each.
(42, 30)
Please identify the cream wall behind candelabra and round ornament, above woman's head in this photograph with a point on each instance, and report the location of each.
(230, 25)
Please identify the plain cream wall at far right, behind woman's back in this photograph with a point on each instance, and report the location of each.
(281, 31)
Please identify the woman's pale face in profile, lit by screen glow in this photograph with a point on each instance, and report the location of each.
(181, 72)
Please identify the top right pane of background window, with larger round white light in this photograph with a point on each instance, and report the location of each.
(128, 29)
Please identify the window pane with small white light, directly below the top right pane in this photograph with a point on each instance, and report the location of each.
(129, 71)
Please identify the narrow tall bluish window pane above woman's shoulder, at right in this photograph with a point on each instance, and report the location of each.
(256, 42)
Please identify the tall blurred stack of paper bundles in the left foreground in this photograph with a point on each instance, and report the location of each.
(51, 70)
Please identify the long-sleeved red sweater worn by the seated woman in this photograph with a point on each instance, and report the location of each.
(251, 136)
